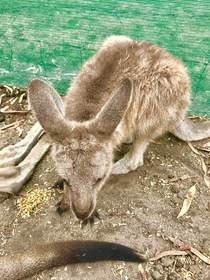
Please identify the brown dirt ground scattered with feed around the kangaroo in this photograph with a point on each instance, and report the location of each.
(138, 209)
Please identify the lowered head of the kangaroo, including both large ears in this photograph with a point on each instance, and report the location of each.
(83, 151)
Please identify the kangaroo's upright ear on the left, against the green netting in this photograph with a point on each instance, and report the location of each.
(47, 107)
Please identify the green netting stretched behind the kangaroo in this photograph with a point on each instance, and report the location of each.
(53, 38)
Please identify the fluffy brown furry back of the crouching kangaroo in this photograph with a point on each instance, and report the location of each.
(161, 87)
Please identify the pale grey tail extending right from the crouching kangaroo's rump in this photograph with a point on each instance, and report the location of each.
(187, 130)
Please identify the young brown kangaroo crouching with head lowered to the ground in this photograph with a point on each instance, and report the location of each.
(127, 89)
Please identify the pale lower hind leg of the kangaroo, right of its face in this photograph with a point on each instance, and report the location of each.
(131, 160)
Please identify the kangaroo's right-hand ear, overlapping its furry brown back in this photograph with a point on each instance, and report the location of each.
(111, 114)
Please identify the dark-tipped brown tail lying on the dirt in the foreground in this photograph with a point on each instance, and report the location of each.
(28, 262)
